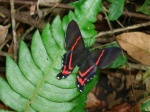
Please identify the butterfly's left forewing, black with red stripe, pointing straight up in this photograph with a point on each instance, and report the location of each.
(73, 40)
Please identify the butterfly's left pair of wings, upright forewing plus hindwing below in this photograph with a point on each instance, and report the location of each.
(75, 45)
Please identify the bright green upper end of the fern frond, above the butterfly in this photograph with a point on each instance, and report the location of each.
(85, 16)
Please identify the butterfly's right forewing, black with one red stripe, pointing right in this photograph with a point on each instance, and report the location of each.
(103, 58)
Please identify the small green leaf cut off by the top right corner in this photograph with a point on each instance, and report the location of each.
(145, 8)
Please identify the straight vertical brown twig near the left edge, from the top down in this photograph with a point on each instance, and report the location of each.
(13, 29)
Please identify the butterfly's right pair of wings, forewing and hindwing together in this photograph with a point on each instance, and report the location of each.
(97, 58)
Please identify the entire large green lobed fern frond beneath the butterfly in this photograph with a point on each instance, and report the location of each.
(32, 84)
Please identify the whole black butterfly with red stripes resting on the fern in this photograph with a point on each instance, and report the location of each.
(87, 61)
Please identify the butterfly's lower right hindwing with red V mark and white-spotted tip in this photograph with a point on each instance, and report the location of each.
(86, 72)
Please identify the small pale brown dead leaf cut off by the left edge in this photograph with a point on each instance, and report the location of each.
(3, 33)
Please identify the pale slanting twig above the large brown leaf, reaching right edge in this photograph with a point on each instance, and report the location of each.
(123, 29)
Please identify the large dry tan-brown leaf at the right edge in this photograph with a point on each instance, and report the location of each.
(137, 45)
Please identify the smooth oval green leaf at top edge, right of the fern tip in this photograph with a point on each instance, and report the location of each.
(115, 10)
